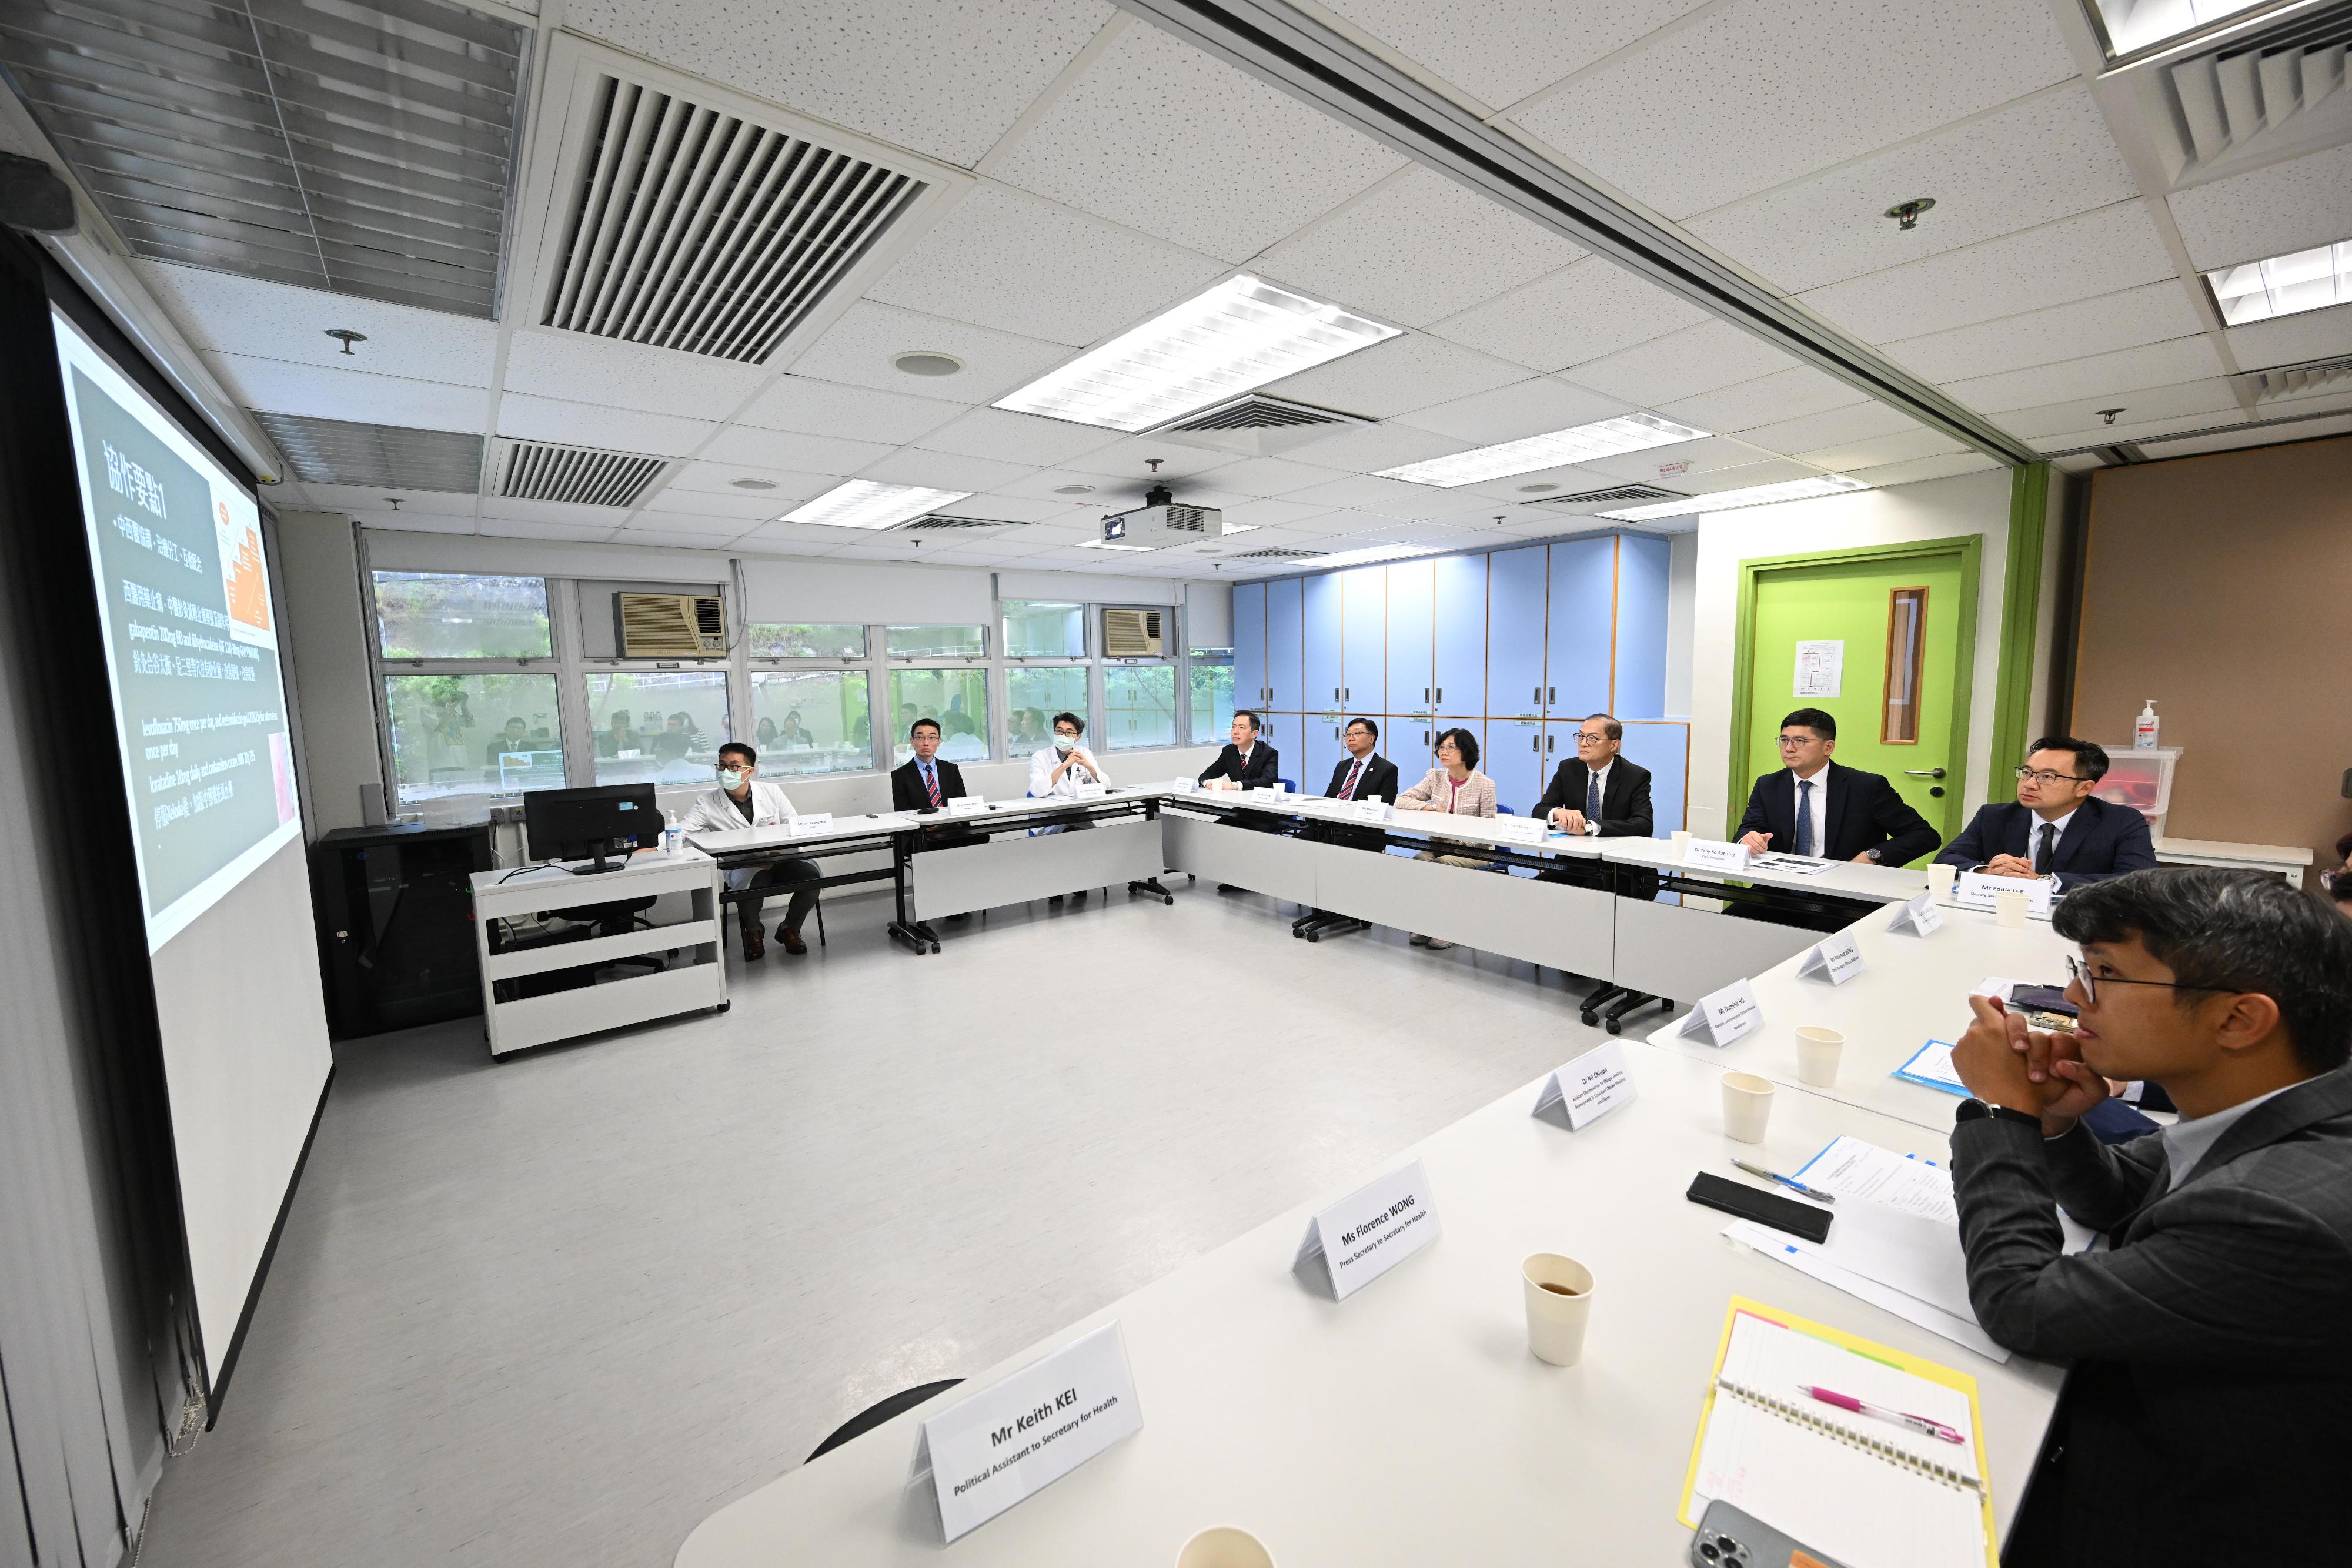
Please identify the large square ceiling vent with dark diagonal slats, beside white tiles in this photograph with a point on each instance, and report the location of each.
(702, 232)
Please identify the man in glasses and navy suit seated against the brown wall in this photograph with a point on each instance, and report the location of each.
(2057, 829)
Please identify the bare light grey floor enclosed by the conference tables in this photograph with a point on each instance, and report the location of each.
(556, 1311)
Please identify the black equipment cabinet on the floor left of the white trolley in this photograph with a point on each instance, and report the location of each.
(396, 925)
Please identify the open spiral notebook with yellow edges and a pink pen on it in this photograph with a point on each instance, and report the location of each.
(1866, 1492)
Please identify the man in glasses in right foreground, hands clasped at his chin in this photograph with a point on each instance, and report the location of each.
(2203, 1416)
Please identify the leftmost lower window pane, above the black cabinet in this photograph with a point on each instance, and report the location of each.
(474, 735)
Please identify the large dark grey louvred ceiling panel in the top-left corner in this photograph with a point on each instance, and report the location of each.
(333, 145)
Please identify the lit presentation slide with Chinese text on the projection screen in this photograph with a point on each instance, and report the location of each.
(192, 645)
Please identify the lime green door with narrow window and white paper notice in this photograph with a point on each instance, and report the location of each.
(1885, 645)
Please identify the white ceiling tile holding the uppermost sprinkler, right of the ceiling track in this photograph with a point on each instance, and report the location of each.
(2029, 163)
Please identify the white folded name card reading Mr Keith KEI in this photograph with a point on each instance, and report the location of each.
(1022, 1435)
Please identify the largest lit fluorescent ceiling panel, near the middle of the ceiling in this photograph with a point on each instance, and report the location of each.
(1236, 337)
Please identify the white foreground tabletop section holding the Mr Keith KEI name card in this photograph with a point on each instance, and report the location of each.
(1410, 1423)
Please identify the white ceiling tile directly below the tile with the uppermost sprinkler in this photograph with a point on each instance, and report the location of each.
(2097, 253)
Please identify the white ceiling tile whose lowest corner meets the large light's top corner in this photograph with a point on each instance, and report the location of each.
(1168, 140)
